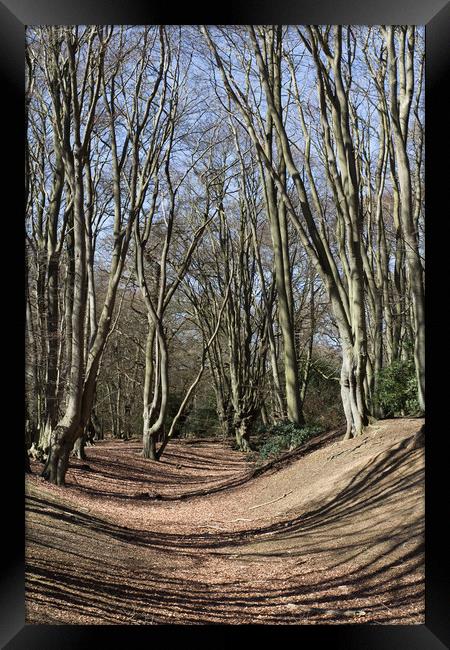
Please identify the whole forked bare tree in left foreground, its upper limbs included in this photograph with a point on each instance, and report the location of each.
(90, 90)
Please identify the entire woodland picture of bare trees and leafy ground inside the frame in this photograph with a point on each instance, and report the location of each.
(225, 324)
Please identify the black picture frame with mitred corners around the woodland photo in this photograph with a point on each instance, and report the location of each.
(435, 15)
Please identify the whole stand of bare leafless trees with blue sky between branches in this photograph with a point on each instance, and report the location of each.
(267, 182)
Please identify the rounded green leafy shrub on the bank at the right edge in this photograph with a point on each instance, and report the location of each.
(397, 389)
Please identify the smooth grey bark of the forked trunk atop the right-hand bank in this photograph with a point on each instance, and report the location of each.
(353, 369)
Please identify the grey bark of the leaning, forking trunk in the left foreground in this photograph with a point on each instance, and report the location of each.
(82, 382)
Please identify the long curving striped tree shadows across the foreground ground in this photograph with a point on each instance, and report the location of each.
(377, 579)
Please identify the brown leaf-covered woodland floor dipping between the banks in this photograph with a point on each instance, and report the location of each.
(333, 533)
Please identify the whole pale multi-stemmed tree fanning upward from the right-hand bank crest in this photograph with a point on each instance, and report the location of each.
(340, 256)
